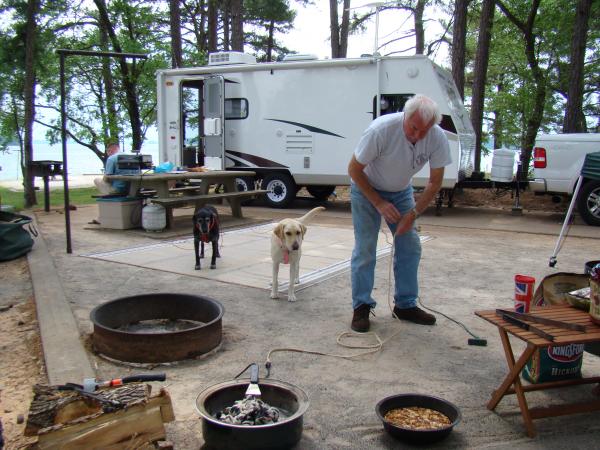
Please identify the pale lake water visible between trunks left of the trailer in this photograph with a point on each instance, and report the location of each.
(80, 159)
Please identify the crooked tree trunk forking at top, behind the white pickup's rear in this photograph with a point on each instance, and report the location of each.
(533, 122)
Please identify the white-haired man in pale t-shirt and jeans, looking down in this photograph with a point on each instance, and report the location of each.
(390, 152)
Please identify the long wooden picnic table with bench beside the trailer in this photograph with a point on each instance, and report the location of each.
(200, 193)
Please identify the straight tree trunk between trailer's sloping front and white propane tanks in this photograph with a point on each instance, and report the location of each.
(480, 74)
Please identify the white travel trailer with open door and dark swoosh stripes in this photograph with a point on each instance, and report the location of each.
(296, 123)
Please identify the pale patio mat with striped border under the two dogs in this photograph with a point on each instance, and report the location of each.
(246, 256)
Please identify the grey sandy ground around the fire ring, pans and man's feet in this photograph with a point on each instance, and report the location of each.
(467, 266)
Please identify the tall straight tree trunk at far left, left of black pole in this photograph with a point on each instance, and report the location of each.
(33, 7)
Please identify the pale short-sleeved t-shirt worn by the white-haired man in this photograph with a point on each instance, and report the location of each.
(391, 159)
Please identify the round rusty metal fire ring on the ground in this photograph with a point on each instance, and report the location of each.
(109, 318)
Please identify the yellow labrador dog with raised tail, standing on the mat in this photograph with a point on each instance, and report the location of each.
(286, 243)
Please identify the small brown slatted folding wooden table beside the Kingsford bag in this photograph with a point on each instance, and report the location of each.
(534, 338)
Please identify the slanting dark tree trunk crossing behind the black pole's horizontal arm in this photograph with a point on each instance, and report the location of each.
(128, 84)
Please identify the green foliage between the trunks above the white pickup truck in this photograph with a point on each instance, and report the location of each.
(510, 86)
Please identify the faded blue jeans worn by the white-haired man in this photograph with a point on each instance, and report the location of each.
(407, 250)
